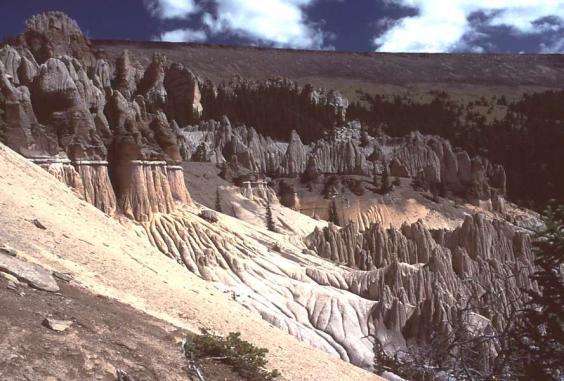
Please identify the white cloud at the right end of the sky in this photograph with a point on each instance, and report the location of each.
(440, 26)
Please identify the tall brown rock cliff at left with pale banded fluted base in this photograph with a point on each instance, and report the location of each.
(107, 138)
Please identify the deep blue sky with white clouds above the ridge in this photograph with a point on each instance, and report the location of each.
(431, 26)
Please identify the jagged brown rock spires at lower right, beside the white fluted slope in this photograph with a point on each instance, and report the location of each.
(408, 267)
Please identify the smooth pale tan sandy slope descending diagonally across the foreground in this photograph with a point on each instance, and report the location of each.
(113, 259)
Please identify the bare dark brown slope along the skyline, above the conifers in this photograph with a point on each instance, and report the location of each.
(472, 73)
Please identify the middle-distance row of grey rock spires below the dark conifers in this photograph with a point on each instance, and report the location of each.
(430, 159)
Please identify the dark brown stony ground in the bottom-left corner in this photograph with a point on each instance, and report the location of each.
(105, 336)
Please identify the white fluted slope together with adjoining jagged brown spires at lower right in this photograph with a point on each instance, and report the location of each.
(414, 278)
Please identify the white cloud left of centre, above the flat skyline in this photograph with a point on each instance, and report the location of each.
(279, 23)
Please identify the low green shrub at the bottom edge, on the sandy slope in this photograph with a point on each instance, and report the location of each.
(245, 358)
